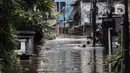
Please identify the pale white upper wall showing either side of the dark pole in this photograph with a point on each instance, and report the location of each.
(85, 10)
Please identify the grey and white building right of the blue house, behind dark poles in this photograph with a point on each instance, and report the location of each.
(81, 16)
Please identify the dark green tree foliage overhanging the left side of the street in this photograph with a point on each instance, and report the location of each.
(20, 14)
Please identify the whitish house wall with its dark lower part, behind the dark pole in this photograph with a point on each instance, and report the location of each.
(86, 14)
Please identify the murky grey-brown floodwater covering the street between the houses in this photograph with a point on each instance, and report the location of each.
(65, 55)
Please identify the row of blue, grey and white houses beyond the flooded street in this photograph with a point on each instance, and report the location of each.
(78, 15)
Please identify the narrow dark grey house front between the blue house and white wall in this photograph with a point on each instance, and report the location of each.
(75, 18)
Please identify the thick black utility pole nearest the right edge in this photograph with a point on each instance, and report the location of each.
(126, 39)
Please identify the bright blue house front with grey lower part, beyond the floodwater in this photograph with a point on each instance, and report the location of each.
(64, 8)
